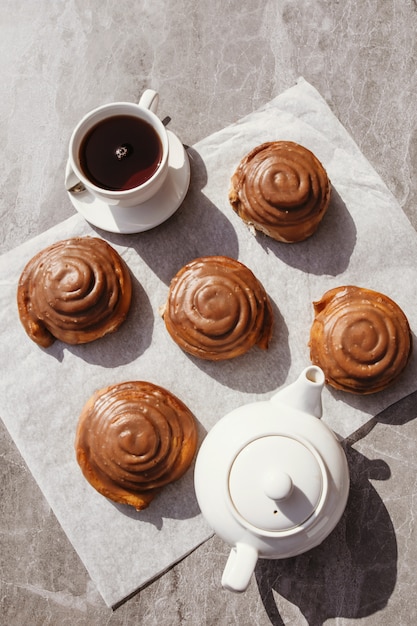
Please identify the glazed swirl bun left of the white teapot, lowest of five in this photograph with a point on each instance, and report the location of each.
(132, 439)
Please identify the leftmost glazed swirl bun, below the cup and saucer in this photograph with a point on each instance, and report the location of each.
(76, 290)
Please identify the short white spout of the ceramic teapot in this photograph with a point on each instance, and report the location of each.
(305, 393)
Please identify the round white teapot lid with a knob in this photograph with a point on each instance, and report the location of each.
(277, 482)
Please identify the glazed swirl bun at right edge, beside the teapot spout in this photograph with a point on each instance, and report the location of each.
(360, 338)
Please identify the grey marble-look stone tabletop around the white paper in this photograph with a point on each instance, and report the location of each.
(212, 62)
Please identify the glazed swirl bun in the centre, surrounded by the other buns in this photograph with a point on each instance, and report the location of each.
(217, 309)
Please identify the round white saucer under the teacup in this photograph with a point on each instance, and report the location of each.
(148, 214)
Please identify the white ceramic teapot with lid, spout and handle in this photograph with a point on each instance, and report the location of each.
(271, 479)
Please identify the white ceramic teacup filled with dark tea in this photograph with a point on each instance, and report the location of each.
(130, 164)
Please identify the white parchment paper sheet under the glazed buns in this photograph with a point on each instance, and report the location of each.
(365, 239)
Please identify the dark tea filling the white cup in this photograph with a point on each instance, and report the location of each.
(120, 152)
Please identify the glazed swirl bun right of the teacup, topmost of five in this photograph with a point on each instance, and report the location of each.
(282, 190)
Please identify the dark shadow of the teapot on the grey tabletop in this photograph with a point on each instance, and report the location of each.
(352, 574)
